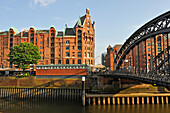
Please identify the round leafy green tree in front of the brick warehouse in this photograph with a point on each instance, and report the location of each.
(23, 55)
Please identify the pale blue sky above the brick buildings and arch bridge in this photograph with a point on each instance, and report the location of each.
(115, 20)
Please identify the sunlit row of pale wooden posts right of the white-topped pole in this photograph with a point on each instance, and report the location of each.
(108, 100)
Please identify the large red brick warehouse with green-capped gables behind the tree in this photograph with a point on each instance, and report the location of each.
(72, 46)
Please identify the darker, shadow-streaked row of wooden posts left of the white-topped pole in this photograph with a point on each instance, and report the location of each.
(41, 93)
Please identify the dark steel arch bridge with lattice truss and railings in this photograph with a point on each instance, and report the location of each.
(145, 54)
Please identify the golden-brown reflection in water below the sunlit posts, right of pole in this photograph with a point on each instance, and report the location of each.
(155, 108)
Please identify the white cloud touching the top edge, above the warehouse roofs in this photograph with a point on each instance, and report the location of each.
(42, 3)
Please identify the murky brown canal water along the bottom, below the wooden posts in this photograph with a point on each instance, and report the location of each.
(62, 107)
